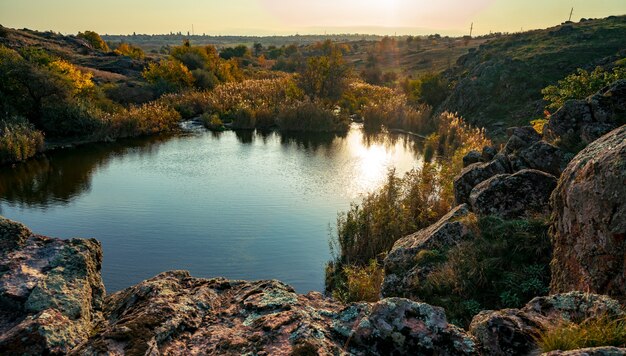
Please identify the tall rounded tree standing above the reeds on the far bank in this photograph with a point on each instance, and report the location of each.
(325, 77)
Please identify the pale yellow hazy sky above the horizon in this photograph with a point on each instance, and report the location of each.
(267, 17)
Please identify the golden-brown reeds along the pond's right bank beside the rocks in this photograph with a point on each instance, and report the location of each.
(403, 205)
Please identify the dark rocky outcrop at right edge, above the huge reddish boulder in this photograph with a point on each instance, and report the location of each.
(586, 120)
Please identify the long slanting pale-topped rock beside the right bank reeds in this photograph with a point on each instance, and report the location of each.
(401, 268)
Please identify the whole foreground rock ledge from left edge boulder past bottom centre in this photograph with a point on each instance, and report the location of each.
(52, 302)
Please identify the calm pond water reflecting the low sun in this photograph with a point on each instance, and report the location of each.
(240, 205)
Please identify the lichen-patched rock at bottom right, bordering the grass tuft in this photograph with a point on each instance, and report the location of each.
(513, 331)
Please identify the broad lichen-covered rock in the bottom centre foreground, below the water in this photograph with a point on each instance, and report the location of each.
(175, 314)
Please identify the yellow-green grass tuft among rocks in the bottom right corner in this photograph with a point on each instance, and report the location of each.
(593, 332)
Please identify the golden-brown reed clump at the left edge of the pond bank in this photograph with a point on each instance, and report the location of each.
(19, 141)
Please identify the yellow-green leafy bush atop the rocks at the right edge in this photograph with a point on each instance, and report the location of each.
(580, 85)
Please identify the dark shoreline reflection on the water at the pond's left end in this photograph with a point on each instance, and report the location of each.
(60, 176)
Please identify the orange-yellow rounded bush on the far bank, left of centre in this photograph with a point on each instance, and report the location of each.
(167, 76)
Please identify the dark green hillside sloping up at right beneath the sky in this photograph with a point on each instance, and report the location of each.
(499, 84)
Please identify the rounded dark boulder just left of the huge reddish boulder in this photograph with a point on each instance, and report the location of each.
(513, 195)
